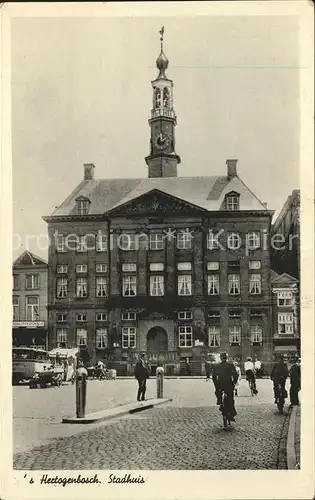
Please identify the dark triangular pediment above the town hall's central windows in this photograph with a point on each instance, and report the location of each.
(155, 202)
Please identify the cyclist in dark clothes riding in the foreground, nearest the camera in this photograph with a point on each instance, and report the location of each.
(224, 378)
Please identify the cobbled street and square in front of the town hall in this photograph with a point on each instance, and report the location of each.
(183, 434)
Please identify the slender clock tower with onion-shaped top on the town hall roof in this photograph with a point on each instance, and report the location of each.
(163, 160)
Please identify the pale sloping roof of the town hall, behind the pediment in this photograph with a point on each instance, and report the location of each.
(205, 192)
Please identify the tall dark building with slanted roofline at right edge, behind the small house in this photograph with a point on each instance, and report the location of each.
(286, 253)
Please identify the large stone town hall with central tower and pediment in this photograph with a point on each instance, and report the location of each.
(174, 266)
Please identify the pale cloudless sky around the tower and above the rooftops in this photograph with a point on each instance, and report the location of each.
(81, 92)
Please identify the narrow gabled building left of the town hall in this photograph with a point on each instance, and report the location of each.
(29, 299)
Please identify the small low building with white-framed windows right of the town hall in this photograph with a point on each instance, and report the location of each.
(286, 333)
